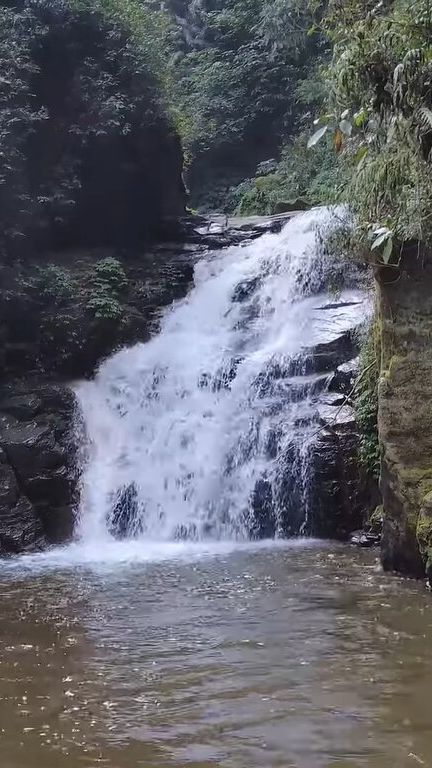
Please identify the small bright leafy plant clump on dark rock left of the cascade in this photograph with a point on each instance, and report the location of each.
(108, 283)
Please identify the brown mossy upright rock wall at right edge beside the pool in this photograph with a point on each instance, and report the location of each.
(405, 414)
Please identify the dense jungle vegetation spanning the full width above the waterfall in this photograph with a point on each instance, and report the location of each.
(242, 82)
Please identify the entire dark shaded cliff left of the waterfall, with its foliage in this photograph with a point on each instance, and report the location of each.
(90, 178)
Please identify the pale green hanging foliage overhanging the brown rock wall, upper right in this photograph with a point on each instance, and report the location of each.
(379, 84)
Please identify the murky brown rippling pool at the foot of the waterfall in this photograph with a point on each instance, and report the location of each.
(304, 656)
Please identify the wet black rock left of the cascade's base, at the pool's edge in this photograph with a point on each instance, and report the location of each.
(38, 473)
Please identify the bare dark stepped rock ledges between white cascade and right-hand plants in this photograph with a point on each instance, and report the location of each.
(341, 493)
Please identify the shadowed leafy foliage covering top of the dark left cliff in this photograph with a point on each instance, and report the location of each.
(75, 73)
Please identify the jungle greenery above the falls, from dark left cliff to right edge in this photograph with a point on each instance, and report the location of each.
(255, 75)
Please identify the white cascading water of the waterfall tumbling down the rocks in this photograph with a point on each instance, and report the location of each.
(186, 433)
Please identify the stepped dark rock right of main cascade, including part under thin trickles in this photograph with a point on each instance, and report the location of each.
(319, 487)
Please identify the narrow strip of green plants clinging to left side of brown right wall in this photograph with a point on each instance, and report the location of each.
(366, 404)
